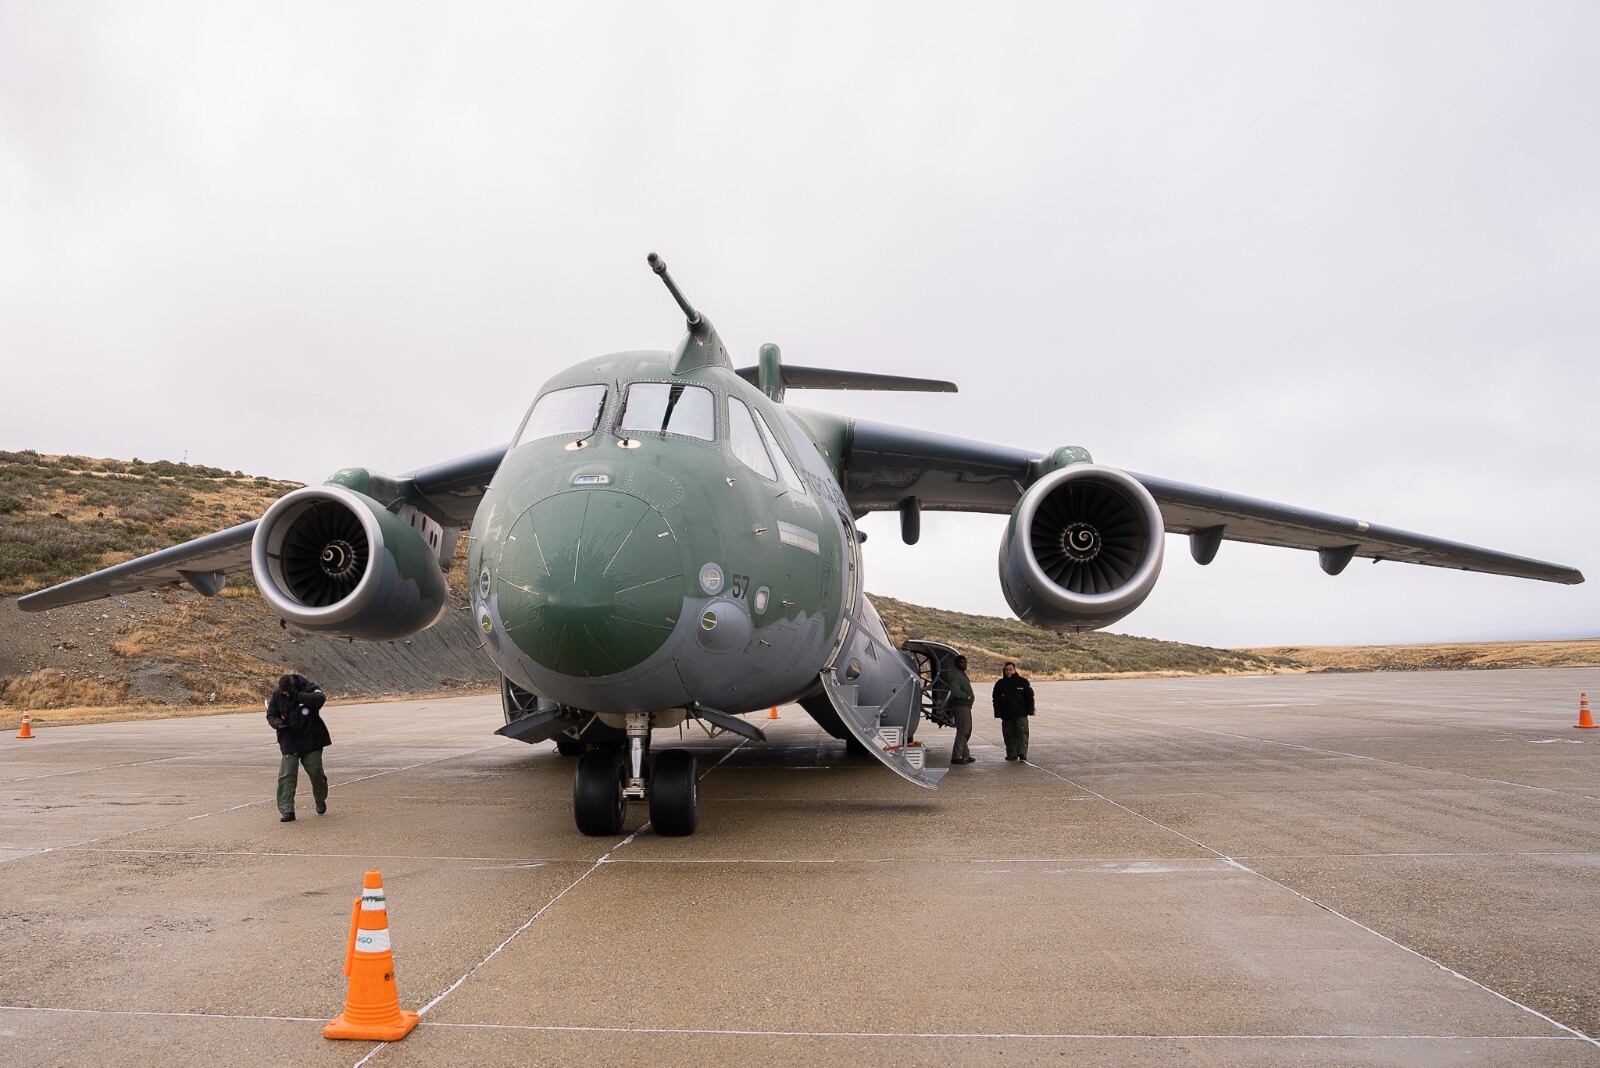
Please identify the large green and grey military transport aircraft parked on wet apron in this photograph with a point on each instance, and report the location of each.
(668, 540)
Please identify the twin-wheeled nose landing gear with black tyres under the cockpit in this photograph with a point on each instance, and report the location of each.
(609, 779)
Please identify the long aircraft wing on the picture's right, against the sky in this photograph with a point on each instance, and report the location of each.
(887, 464)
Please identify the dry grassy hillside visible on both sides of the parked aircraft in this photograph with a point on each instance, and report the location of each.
(164, 652)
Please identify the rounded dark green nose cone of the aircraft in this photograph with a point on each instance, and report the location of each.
(591, 583)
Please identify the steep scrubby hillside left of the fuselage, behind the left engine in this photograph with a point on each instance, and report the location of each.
(164, 650)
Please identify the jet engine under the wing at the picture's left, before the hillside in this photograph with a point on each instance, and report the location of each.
(334, 560)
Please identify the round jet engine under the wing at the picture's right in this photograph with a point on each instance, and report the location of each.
(1082, 551)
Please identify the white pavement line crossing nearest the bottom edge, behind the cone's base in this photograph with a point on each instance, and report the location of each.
(247, 1018)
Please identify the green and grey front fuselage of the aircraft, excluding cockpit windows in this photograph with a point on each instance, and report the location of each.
(663, 573)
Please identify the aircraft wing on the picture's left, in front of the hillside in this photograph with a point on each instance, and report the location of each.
(450, 492)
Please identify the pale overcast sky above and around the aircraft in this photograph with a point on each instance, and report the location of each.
(1343, 257)
